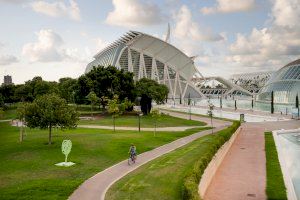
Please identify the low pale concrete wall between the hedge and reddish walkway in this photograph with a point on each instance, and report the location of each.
(214, 164)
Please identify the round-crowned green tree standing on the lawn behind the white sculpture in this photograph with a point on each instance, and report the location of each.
(48, 111)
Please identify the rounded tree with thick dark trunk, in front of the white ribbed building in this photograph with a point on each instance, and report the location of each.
(149, 90)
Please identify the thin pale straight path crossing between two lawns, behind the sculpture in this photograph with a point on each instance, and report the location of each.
(179, 128)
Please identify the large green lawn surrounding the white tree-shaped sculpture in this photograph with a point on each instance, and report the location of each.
(27, 169)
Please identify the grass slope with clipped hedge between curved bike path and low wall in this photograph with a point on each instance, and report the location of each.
(175, 175)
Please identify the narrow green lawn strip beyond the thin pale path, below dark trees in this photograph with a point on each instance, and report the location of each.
(146, 121)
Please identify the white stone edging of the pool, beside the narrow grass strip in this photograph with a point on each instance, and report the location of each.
(291, 194)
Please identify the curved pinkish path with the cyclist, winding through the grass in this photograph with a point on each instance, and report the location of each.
(96, 187)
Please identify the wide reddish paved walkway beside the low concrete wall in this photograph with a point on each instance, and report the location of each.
(242, 174)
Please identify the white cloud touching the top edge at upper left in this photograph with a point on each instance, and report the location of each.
(57, 9)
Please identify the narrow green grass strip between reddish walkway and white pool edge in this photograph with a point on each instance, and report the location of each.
(275, 185)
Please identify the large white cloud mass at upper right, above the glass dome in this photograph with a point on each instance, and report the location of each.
(274, 46)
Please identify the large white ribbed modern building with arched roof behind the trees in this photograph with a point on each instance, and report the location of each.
(150, 57)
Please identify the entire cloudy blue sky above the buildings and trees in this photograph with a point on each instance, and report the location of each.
(58, 38)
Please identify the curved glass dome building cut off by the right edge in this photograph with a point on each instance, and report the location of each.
(285, 83)
